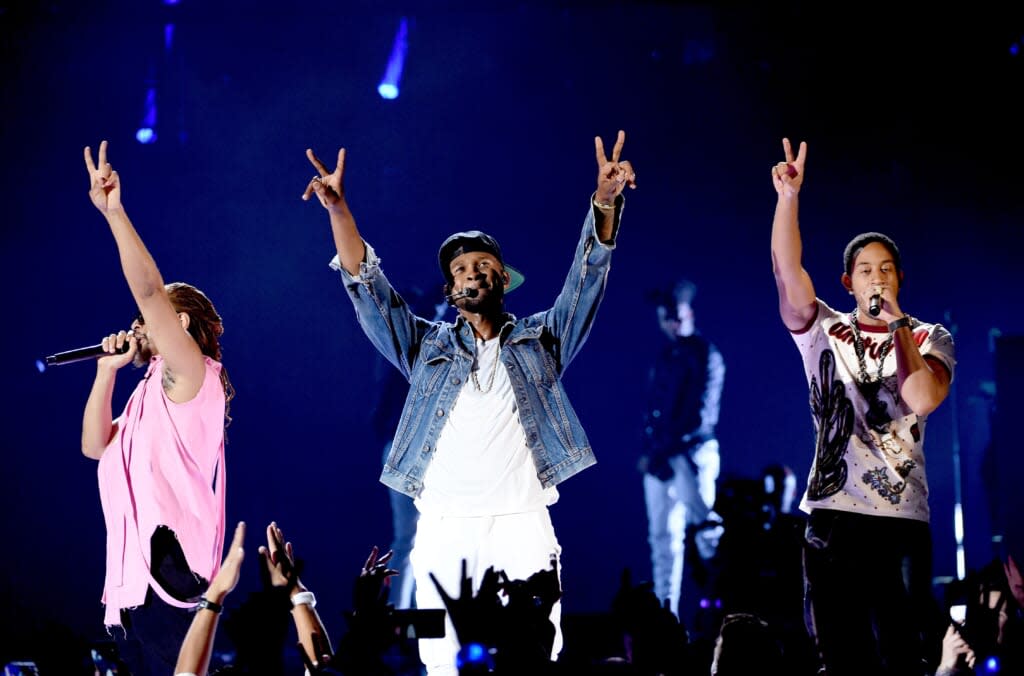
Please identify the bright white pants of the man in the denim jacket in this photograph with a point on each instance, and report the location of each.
(519, 544)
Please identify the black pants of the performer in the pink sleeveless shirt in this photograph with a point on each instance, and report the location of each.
(154, 632)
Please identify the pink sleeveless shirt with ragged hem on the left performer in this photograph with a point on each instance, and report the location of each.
(165, 467)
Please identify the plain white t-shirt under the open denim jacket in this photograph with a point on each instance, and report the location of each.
(483, 467)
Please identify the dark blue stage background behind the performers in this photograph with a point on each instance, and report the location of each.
(914, 128)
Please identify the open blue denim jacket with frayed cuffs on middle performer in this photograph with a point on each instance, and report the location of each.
(437, 358)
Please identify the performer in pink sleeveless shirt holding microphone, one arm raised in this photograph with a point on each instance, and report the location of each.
(162, 460)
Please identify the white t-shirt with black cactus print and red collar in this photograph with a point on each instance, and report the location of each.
(870, 448)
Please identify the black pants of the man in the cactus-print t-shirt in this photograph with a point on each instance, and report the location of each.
(870, 606)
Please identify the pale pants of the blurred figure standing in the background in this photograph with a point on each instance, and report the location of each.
(685, 500)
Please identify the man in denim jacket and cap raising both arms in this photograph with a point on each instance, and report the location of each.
(487, 433)
